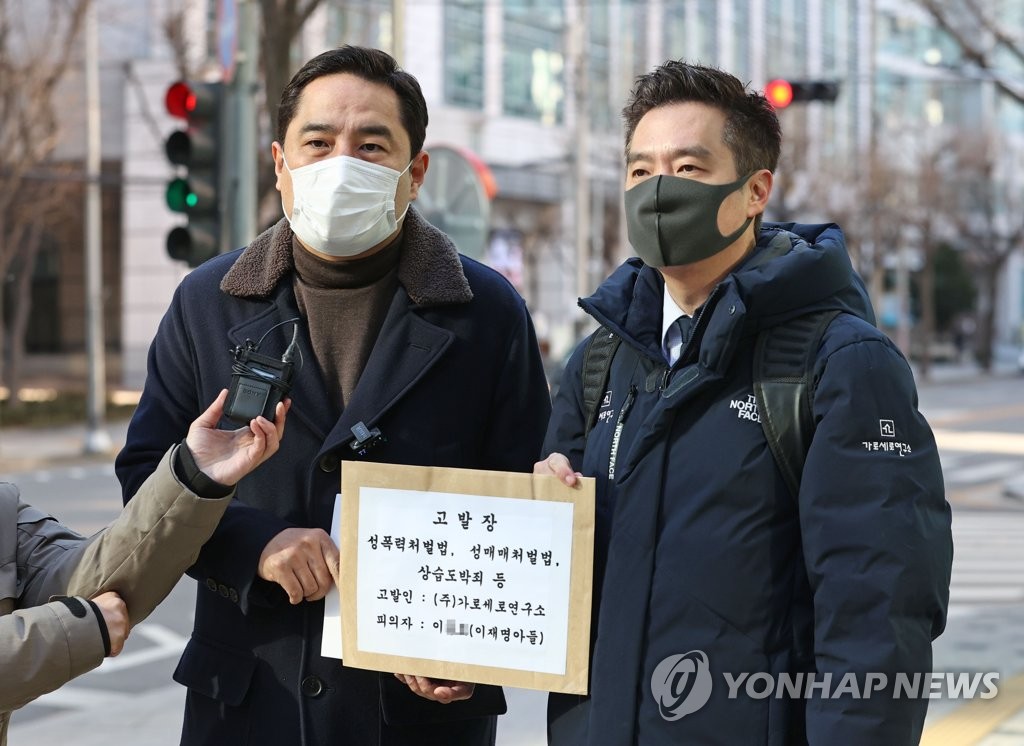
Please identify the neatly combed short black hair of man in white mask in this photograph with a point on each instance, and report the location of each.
(371, 65)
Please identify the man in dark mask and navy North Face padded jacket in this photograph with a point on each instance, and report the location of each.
(710, 574)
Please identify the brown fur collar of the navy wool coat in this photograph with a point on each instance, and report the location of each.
(430, 269)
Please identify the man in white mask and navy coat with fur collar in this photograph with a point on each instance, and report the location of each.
(407, 354)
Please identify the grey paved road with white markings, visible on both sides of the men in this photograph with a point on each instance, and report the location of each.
(130, 699)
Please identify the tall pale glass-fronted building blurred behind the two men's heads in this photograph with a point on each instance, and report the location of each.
(534, 89)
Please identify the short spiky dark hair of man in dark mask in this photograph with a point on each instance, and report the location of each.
(752, 129)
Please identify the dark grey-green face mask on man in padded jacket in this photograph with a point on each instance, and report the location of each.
(673, 222)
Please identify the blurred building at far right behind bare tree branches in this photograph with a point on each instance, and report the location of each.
(955, 146)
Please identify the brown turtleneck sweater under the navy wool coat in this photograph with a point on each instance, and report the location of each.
(345, 304)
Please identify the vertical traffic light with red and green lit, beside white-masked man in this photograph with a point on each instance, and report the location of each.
(196, 152)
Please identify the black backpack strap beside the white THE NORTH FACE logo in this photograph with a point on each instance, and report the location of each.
(784, 371)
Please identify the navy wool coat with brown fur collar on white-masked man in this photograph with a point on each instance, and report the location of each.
(455, 379)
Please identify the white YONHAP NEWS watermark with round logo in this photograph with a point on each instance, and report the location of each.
(682, 684)
